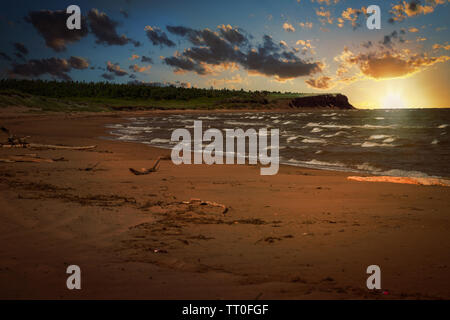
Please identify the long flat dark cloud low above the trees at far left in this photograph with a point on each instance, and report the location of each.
(56, 67)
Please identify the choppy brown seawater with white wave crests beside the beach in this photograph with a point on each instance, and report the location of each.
(392, 142)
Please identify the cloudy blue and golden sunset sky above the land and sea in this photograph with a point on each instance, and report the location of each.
(288, 45)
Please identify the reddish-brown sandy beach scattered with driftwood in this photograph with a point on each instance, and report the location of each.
(299, 234)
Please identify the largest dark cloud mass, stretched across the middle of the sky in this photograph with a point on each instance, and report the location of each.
(214, 49)
